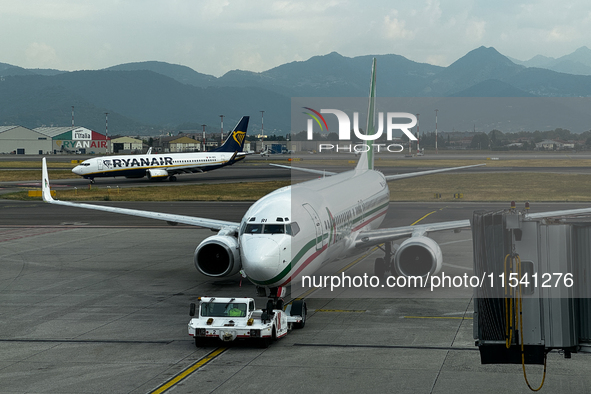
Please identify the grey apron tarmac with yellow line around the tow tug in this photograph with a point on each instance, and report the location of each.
(95, 302)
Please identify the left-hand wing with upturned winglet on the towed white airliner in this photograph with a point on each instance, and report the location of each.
(171, 218)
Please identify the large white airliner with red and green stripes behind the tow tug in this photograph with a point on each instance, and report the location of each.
(296, 229)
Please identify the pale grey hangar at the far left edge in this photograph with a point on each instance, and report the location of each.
(21, 140)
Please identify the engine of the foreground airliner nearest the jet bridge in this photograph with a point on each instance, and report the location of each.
(418, 256)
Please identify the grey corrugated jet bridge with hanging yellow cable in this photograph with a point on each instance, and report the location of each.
(535, 295)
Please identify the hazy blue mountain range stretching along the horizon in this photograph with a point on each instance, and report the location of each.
(147, 97)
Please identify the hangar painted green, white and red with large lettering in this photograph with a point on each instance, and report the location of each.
(75, 140)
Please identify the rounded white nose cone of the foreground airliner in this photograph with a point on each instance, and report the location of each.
(260, 257)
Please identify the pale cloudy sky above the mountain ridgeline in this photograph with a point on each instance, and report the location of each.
(216, 36)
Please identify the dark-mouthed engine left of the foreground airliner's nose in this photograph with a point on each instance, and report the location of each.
(218, 256)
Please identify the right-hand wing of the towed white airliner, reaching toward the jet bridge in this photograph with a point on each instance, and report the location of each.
(378, 236)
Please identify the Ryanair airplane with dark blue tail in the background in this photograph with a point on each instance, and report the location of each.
(162, 166)
